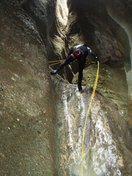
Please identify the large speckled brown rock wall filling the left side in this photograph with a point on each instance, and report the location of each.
(26, 111)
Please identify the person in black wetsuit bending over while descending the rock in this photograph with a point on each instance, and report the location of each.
(79, 52)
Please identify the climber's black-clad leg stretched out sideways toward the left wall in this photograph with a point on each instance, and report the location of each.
(66, 62)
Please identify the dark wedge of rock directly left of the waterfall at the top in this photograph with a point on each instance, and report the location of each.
(42, 11)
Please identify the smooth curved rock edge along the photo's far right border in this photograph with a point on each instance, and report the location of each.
(121, 12)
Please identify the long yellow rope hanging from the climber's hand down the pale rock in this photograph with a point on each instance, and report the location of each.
(87, 115)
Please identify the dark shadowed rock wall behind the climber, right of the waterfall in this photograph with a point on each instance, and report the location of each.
(101, 31)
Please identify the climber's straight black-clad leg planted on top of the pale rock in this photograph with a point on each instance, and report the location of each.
(81, 62)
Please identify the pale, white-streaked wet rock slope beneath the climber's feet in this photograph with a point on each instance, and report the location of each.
(107, 139)
